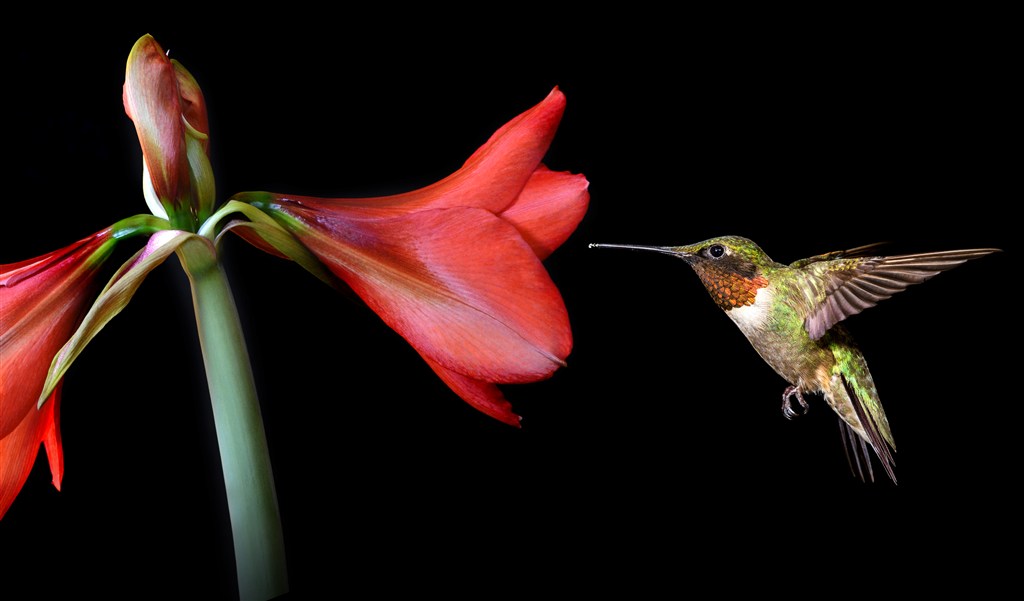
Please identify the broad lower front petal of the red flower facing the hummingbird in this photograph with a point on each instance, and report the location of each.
(460, 285)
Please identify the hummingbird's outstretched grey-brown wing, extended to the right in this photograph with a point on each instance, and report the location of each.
(838, 288)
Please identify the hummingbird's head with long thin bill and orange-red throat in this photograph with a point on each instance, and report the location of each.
(730, 267)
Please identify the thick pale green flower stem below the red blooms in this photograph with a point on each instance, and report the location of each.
(260, 548)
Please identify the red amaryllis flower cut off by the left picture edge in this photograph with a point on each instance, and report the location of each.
(42, 302)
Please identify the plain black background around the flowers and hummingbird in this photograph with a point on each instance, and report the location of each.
(660, 457)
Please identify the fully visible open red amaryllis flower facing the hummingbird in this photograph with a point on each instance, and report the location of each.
(455, 268)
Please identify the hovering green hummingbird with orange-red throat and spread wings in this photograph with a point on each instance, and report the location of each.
(791, 315)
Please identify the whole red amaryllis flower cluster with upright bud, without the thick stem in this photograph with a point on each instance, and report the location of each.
(455, 268)
